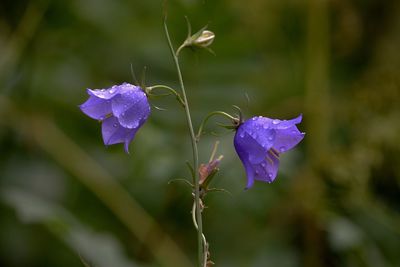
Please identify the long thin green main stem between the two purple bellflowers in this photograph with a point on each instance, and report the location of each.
(199, 227)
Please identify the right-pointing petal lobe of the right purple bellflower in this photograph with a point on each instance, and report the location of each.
(286, 139)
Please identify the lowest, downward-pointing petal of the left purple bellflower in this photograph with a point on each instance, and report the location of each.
(114, 133)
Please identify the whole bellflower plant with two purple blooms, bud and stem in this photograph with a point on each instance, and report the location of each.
(259, 141)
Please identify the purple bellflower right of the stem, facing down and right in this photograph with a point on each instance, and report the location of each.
(259, 142)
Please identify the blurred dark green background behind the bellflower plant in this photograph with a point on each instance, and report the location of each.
(67, 200)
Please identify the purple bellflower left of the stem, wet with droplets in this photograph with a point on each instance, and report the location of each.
(122, 109)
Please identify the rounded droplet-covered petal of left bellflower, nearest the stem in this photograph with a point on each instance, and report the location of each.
(131, 108)
